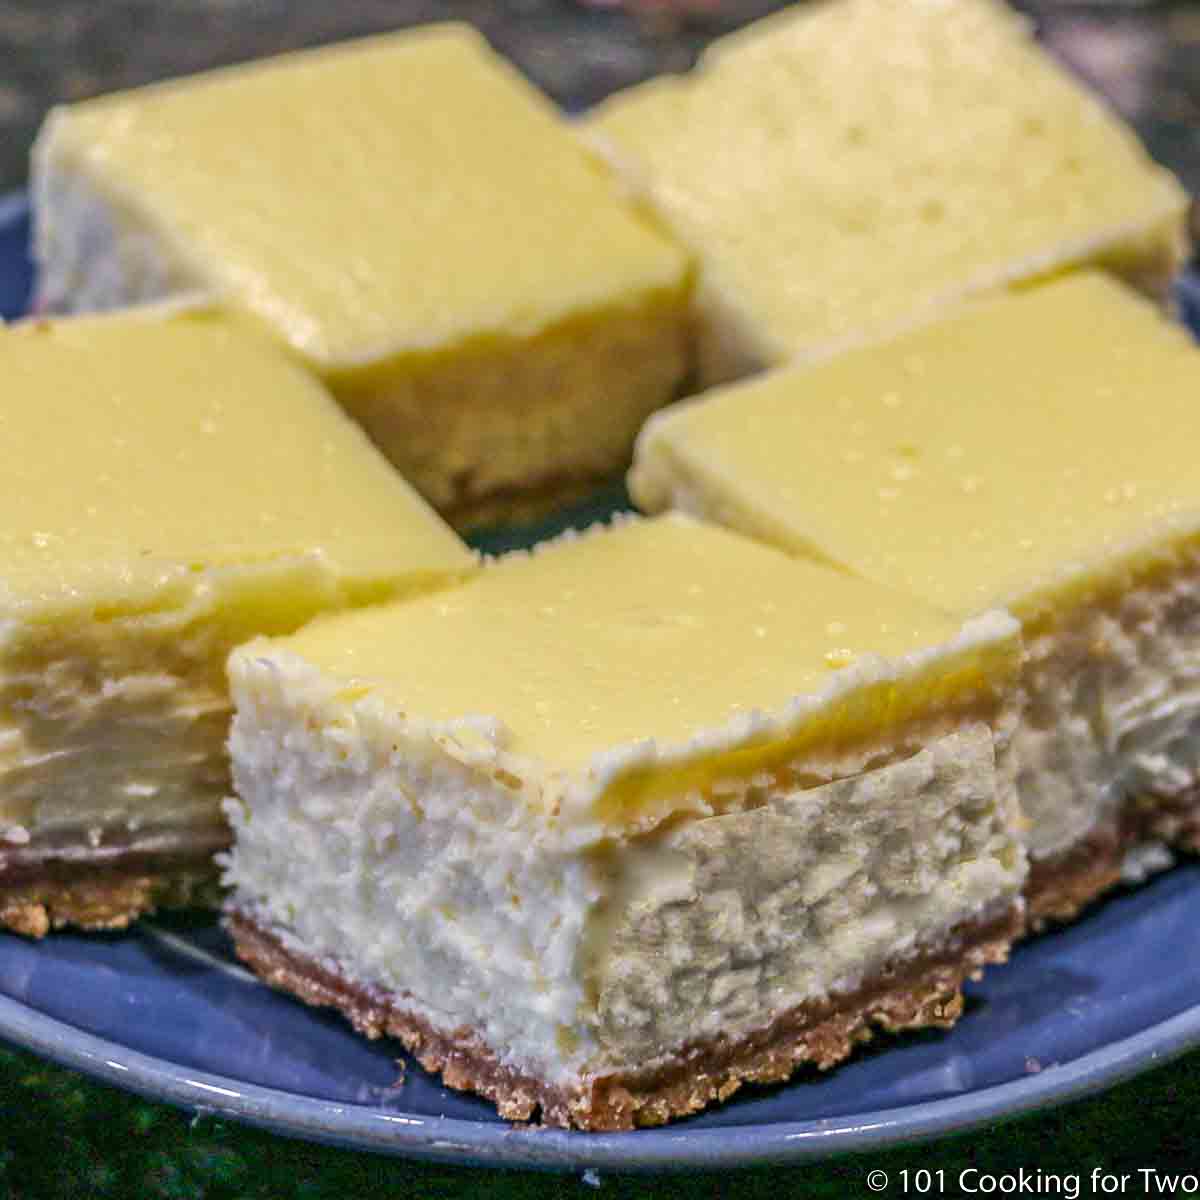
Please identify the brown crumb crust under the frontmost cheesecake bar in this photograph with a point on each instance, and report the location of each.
(920, 993)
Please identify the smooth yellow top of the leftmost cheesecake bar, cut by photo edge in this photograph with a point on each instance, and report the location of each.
(136, 446)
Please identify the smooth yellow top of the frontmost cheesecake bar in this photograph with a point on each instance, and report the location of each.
(661, 629)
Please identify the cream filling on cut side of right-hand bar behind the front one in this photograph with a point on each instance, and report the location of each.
(1113, 711)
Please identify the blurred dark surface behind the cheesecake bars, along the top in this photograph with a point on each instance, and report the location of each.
(1144, 57)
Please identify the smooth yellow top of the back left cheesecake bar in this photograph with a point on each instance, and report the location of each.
(400, 194)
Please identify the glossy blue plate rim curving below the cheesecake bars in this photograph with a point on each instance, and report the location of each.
(490, 1144)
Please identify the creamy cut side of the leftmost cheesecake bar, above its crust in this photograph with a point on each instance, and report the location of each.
(115, 723)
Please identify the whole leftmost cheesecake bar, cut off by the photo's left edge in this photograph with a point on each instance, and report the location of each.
(173, 487)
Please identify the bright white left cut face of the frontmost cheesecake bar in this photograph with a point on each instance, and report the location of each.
(405, 869)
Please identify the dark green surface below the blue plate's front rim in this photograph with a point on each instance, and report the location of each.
(67, 1138)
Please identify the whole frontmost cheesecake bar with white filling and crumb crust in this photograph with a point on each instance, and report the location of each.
(620, 825)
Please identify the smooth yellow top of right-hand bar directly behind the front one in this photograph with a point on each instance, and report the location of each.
(992, 459)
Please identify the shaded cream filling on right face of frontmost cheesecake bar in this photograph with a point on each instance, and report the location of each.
(721, 925)
